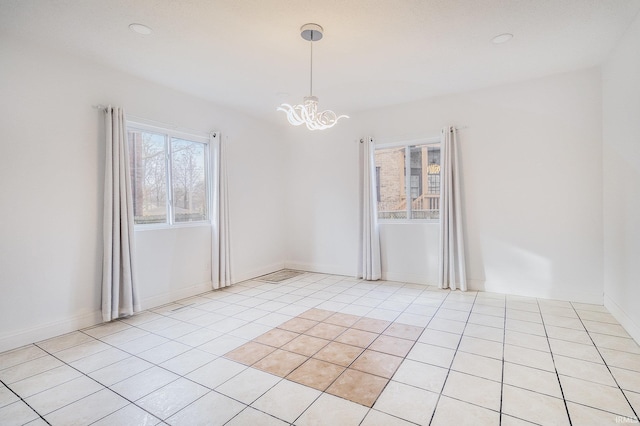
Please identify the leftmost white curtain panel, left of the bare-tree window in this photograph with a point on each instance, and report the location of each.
(119, 292)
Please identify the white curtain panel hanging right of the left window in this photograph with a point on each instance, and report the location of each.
(221, 248)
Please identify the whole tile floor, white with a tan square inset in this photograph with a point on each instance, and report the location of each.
(330, 350)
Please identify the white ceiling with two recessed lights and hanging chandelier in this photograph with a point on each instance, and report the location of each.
(248, 54)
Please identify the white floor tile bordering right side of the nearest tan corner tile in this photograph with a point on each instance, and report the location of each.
(407, 402)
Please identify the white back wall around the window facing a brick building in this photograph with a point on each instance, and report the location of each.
(532, 187)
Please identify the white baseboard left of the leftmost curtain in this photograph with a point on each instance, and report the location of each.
(50, 329)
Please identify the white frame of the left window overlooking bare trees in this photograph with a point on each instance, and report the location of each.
(170, 134)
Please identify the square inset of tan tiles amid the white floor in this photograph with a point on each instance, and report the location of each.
(345, 355)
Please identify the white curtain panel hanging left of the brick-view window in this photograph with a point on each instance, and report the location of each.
(369, 266)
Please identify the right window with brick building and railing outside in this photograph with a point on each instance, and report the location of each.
(415, 164)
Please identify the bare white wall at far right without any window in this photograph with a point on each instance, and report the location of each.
(621, 147)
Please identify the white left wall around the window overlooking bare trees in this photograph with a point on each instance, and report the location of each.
(51, 180)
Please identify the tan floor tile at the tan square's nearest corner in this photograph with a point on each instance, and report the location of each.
(357, 386)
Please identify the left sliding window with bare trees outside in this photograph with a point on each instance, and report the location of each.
(168, 175)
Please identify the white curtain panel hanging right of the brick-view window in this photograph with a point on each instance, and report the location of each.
(451, 260)
